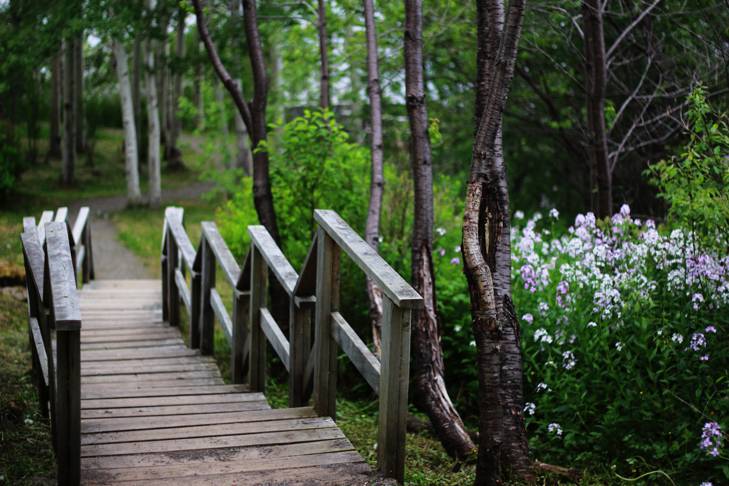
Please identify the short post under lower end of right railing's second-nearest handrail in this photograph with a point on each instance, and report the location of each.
(300, 311)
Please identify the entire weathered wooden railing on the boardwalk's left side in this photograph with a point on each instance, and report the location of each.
(52, 254)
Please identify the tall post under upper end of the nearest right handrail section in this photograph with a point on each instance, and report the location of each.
(327, 301)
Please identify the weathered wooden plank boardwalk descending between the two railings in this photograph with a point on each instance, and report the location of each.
(155, 411)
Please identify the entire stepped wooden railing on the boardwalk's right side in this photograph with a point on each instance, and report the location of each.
(313, 297)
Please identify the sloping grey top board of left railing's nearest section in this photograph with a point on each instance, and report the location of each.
(65, 305)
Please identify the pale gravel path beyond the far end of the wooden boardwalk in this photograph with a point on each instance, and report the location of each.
(112, 260)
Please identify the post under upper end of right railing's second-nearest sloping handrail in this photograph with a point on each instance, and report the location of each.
(259, 291)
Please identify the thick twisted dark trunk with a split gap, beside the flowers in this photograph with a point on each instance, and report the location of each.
(503, 448)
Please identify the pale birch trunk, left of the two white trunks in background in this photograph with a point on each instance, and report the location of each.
(134, 195)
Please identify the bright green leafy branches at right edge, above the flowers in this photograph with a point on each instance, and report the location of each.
(695, 183)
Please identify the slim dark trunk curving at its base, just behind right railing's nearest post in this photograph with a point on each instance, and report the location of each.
(431, 394)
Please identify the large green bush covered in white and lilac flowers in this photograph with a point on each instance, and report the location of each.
(625, 349)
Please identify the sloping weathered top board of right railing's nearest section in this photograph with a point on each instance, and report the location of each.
(391, 283)
